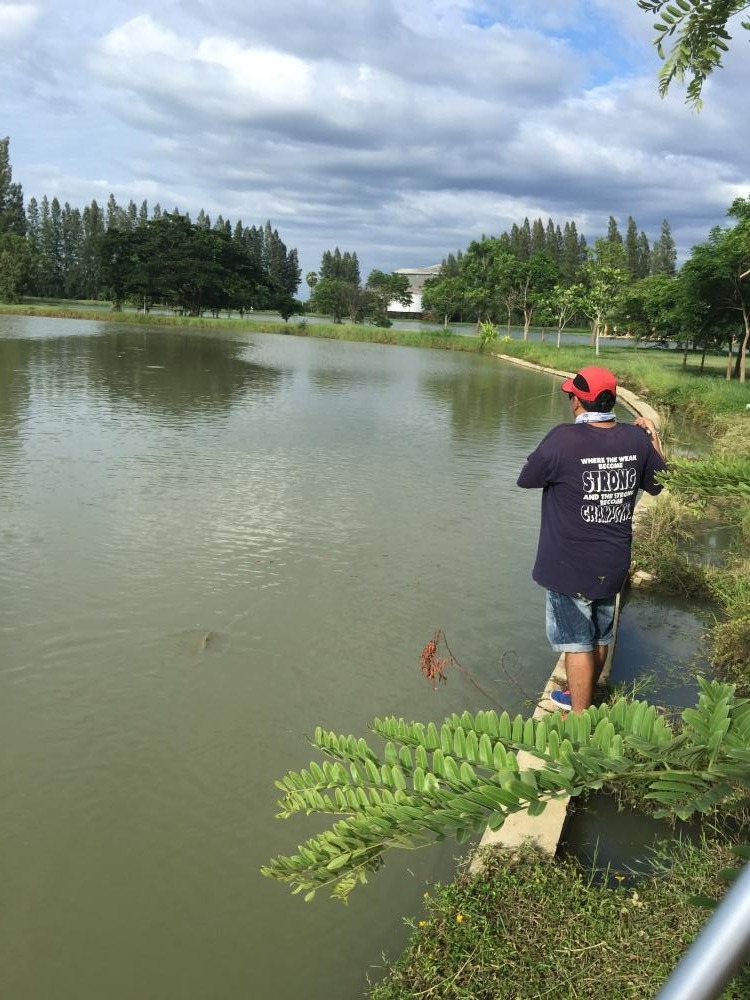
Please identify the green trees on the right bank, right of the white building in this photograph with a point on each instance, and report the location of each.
(547, 276)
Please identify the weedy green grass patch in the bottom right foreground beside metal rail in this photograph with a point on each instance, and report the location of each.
(531, 927)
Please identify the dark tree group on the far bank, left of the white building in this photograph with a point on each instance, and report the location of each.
(130, 254)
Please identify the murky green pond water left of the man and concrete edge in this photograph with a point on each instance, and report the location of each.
(212, 544)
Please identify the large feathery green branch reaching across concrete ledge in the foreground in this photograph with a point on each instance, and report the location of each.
(429, 782)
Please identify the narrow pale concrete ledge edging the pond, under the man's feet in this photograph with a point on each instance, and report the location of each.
(545, 830)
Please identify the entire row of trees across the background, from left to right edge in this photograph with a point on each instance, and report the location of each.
(534, 274)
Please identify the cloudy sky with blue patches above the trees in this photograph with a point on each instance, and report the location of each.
(397, 129)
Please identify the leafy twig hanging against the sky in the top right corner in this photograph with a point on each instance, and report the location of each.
(698, 33)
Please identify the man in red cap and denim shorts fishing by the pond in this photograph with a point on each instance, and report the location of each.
(590, 473)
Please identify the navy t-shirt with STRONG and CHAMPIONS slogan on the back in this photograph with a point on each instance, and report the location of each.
(590, 477)
